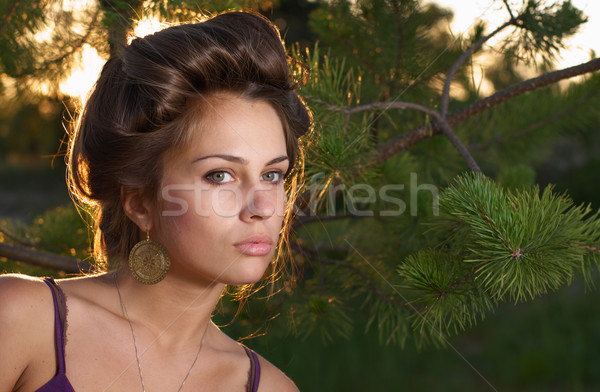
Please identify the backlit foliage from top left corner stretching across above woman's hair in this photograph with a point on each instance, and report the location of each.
(41, 41)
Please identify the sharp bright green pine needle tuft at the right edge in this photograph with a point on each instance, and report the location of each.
(523, 243)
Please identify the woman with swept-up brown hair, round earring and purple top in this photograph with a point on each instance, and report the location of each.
(181, 152)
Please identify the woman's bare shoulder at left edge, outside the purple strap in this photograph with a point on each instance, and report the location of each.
(26, 324)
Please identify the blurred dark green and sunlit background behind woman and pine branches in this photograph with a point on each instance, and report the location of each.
(52, 52)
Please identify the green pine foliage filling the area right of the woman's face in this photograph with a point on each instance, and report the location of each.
(440, 274)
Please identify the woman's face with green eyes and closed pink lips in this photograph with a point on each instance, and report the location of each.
(223, 198)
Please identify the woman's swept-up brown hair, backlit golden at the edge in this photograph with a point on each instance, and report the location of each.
(138, 110)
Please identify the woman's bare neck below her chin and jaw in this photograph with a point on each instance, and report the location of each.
(174, 311)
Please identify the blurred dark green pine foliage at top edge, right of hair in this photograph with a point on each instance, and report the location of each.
(388, 42)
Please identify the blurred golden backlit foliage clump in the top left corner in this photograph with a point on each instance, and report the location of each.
(38, 39)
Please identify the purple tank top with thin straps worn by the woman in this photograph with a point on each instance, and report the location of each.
(60, 382)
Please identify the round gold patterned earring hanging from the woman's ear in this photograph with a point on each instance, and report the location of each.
(149, 261)
